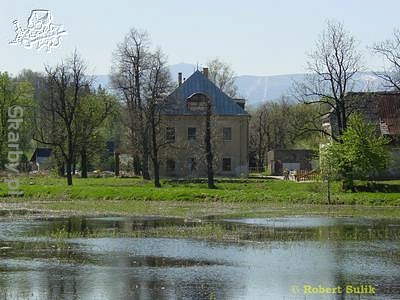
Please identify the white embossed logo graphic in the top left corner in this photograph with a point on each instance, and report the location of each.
(40, 32)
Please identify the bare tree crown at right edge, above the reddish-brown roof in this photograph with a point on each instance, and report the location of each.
(390, 50)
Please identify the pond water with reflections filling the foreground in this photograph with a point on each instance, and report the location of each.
(270, 258)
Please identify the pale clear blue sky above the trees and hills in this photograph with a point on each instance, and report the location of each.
(256, 37)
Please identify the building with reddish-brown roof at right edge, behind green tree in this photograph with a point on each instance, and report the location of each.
(383, 110)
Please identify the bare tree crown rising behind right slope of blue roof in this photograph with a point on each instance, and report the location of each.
(223, 76)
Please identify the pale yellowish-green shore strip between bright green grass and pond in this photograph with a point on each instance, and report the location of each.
(188, 209)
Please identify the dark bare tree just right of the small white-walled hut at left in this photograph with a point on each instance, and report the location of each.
(58, 123)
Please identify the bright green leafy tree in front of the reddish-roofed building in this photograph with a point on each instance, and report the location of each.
(361, 154)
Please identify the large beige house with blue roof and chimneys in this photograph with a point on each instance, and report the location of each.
(183, 119)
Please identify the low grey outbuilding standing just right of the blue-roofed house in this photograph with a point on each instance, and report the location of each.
(290, 159)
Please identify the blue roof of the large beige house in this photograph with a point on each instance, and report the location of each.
(222, 104)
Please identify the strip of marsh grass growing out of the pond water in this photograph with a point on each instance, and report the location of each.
(221, 232)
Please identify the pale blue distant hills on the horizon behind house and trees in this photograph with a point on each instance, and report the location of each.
(257, 89)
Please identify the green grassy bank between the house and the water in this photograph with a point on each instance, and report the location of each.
(133, 196)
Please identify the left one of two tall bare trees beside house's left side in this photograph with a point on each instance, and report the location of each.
(131, 63)
